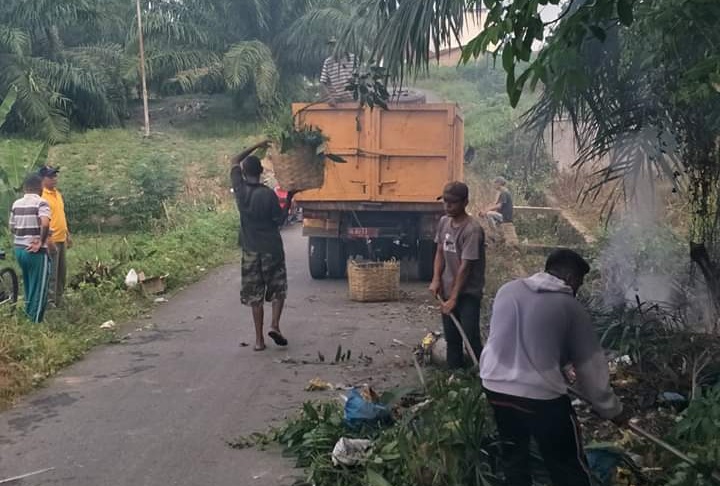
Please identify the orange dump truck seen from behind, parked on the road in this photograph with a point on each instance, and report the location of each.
(383, 203)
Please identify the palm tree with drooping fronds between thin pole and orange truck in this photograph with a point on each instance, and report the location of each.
(267, 54)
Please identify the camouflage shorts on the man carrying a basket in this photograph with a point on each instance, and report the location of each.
(264, 278)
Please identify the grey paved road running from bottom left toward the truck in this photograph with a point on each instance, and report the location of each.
(157, 409)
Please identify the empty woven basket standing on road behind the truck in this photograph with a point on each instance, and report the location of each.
(374, 281)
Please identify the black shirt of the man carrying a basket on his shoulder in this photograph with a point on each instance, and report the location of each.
(260, 215)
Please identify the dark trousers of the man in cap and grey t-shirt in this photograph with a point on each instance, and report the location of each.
(468, 313)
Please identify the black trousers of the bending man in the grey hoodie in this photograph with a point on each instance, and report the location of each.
(554, 427)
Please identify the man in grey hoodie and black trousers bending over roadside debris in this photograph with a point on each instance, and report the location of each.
(537, 328)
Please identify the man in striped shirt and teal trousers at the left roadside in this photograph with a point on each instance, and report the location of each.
(30, 227)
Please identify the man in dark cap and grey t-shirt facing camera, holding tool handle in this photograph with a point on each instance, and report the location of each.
(459, 272)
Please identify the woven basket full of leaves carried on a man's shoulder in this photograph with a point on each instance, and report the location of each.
(299, 168)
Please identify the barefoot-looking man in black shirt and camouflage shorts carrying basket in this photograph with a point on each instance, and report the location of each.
(264, 276)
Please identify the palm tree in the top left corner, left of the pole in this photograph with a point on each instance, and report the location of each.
(56, 85)
